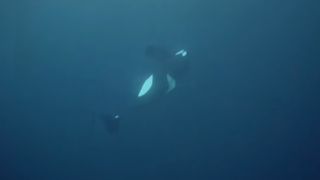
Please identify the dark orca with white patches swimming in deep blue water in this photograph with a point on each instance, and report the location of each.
(173, 66)
